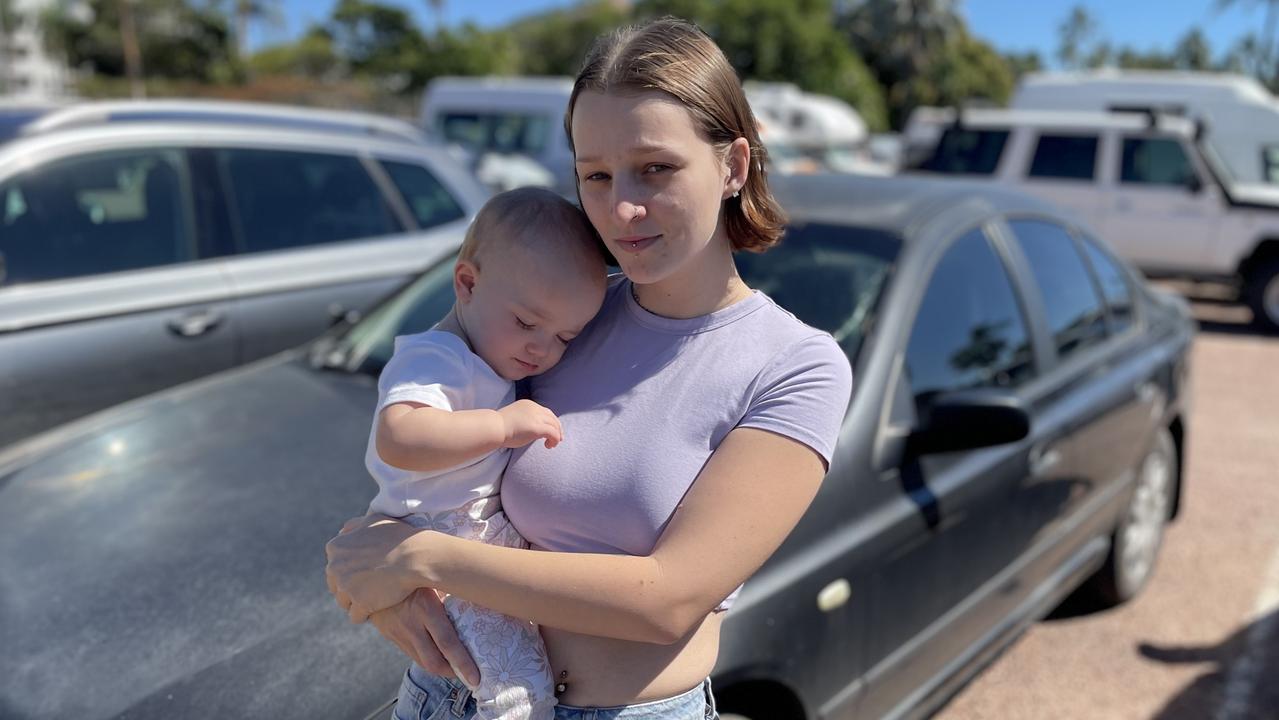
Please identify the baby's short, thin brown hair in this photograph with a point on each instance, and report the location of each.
(524, 215)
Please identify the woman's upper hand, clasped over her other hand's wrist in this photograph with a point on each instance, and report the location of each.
(364, 571)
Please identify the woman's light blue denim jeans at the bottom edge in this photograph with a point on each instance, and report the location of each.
(430, 698)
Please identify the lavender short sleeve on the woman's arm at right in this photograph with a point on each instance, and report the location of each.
(804, 393)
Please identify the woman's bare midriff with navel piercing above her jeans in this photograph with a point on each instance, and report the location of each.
(607, 673)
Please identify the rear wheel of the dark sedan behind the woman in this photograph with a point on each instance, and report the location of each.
(1140, 534)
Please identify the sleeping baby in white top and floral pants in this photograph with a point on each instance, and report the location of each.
(530, 276)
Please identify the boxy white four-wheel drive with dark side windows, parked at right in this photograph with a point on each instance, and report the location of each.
(1145, 182)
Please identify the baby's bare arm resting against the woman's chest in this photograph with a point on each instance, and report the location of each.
(415, 437)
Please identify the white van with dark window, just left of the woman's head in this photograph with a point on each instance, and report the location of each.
(507, 117)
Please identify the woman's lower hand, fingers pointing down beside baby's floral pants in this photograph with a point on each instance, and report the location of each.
(421, 630)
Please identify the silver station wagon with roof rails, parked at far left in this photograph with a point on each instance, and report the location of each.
(144, 245)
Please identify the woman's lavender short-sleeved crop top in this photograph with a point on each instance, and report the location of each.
(644, 402)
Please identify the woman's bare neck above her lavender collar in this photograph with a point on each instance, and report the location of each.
(700, 288)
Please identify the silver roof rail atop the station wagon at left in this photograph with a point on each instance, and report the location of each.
(88, 114)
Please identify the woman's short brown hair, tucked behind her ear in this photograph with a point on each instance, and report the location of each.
(677, 58)
